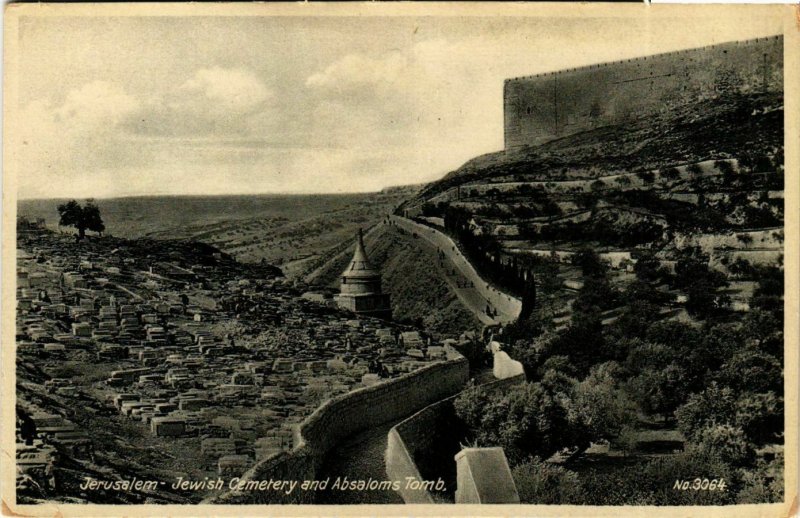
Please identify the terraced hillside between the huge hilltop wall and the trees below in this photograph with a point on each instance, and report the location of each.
(706, 175)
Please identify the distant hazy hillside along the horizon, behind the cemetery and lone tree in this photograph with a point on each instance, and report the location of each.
(287, 230)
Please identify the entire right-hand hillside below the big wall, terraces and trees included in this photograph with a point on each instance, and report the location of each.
(654, 251)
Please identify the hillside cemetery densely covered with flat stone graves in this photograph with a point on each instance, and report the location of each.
(188, 344)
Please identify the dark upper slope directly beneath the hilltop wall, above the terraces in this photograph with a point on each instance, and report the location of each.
(713, 129)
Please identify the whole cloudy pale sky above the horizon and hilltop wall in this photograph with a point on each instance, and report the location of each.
(121, 106)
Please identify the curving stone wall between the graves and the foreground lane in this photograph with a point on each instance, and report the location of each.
(343, 416)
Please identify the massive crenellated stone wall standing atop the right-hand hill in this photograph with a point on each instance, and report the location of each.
(548, 106)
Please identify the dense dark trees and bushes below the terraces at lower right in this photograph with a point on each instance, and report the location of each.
(717, 380)
